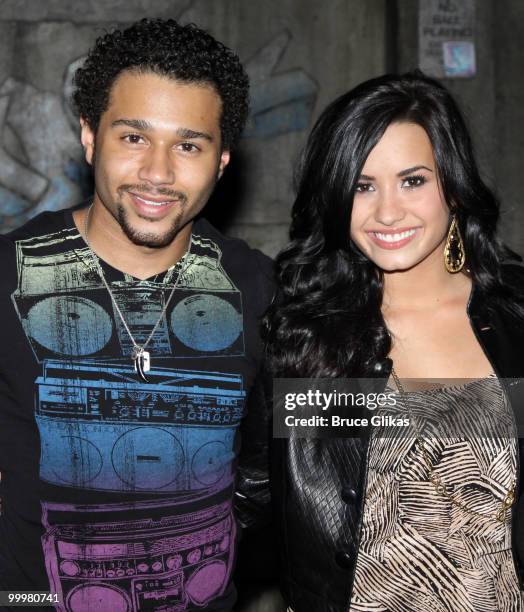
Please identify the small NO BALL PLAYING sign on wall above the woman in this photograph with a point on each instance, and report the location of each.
(446, 38)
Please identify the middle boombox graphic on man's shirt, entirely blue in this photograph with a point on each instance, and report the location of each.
(101, 429)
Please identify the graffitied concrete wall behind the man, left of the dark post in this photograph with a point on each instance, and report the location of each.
(300, 54)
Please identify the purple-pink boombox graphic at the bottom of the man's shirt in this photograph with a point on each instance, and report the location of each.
(166, 558)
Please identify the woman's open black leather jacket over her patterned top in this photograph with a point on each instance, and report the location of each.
(317, 485)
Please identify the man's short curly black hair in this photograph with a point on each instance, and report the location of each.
(185, 53)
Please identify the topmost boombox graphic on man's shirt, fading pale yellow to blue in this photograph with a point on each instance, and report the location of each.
(67, 312)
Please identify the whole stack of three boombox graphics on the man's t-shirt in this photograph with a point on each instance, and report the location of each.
(169, 444)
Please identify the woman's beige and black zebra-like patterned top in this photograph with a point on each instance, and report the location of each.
(418, 551)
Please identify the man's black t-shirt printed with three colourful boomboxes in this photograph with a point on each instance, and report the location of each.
(117, 493)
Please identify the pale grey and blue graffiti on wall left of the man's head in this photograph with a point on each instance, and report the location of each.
(41, 161)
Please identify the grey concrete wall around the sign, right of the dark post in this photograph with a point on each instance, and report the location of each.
(493, 100)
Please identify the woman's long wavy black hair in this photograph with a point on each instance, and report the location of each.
(327, 320)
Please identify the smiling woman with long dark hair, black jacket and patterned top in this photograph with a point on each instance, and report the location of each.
(394, 271)
